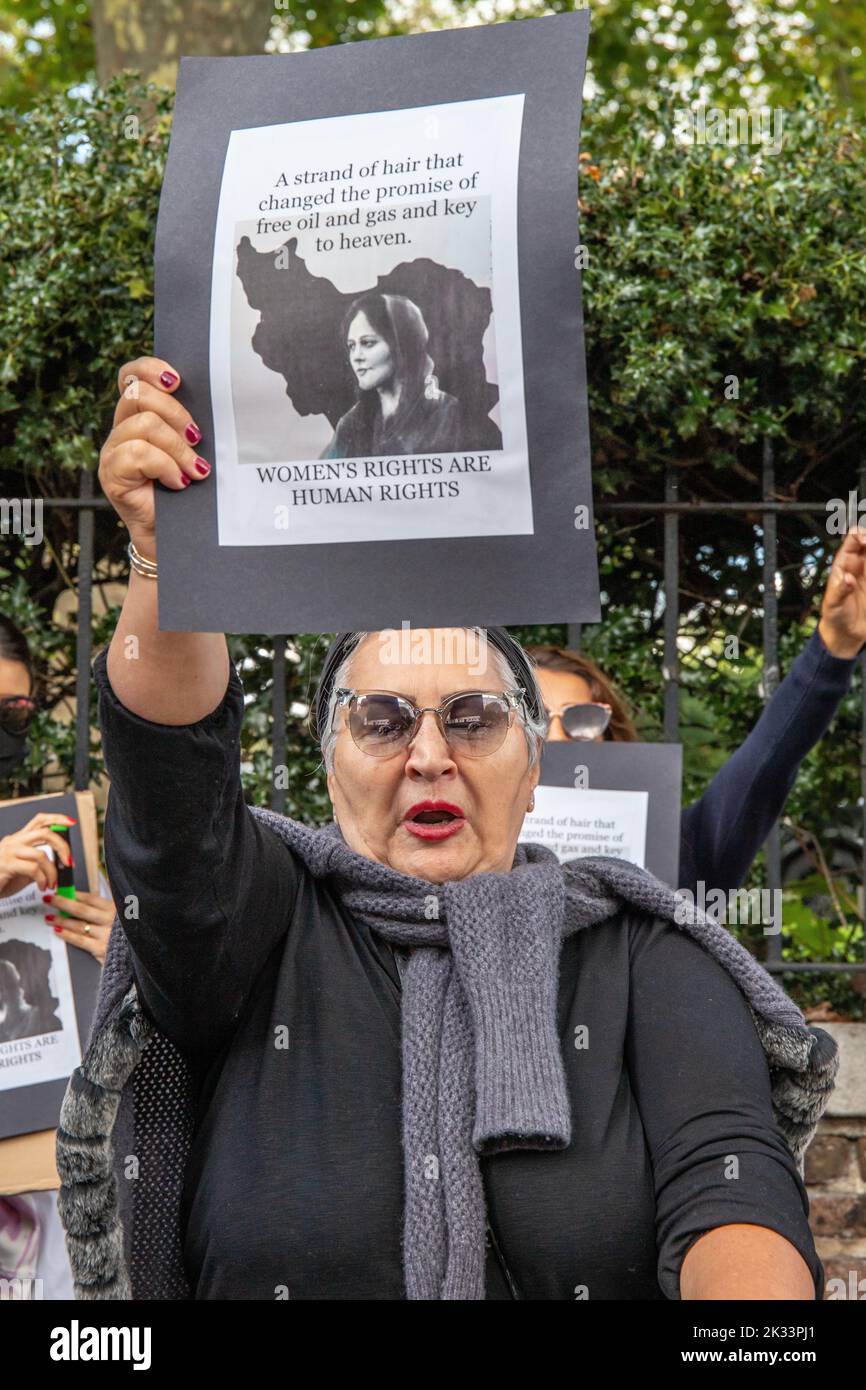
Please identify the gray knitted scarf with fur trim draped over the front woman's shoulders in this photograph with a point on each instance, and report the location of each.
(483, 1067)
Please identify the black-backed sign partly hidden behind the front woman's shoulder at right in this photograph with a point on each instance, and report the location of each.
(583, 774)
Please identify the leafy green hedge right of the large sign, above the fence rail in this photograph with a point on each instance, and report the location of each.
(711, 263)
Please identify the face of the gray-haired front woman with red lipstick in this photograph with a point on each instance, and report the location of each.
(375, 797)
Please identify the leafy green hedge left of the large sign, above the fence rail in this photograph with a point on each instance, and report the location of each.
(80, 186)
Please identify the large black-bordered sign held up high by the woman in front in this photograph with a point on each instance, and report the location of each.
(316, 516)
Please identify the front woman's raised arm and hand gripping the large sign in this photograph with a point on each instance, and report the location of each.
(204, 892)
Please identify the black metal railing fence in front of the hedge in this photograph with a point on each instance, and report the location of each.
(672, 509)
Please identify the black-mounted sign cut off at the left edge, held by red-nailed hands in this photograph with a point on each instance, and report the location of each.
(35, 1106)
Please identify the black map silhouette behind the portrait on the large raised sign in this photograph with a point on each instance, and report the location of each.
(301, 329)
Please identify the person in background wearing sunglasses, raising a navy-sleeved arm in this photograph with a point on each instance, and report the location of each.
(725, 829)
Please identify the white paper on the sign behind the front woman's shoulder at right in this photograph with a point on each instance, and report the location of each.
(575, 822)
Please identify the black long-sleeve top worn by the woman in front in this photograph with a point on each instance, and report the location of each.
(295, 1177)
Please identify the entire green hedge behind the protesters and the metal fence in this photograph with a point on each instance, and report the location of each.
(700, 258)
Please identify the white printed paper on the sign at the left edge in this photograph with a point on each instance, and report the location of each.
(38, 1028)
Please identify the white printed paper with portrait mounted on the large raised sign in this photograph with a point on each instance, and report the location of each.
(418, 204)
